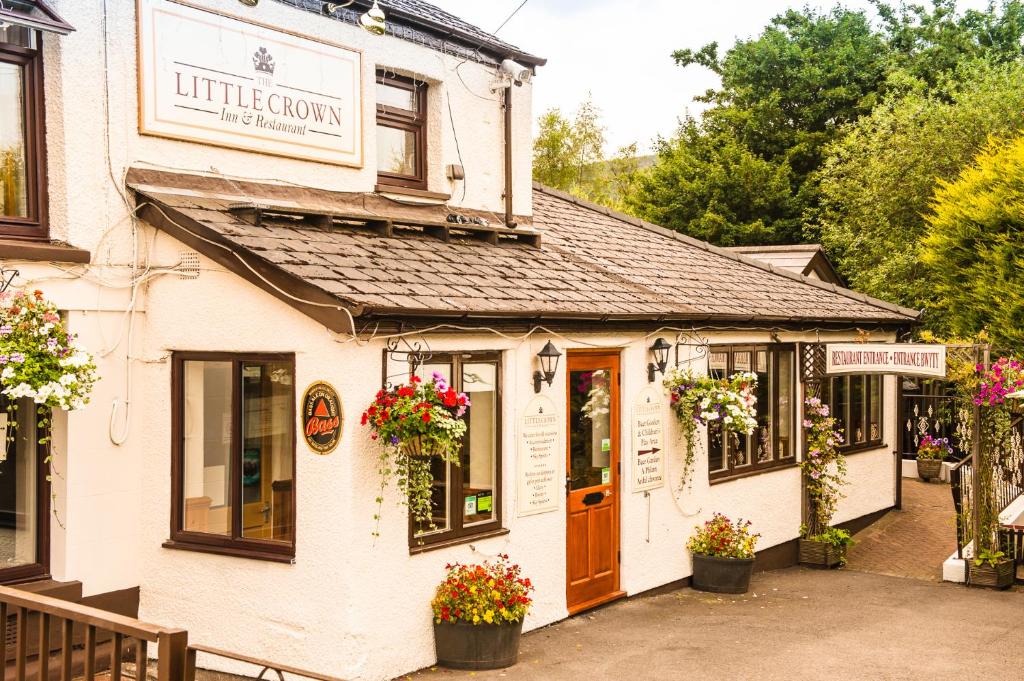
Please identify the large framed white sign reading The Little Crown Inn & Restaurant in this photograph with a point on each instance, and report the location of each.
(215, 79)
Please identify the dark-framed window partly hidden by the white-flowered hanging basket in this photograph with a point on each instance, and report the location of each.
(774, 442)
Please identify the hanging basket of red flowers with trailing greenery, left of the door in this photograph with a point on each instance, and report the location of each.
(413, 423)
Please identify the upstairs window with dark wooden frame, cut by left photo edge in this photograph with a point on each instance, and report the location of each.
(23, 154)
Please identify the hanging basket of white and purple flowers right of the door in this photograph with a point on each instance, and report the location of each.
(699, 401)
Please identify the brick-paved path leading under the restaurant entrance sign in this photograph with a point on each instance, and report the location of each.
(914, 542)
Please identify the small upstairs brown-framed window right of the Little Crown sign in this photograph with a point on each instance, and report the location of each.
(402, 132)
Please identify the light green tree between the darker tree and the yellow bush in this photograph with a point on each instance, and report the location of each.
(878, 181)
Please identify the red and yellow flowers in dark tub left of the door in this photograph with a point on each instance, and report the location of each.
(479, 615)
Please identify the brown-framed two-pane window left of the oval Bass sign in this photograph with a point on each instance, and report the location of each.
(233, 470)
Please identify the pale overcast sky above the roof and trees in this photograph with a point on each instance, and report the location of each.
(621, 52)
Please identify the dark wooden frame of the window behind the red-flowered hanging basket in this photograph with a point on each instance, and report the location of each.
(457, 534)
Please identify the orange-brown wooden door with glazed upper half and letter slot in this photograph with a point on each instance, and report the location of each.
(592, 481)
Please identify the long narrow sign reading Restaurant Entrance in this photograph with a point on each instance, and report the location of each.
(905, 359)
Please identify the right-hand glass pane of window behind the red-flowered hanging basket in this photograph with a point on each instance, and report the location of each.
(479, 470)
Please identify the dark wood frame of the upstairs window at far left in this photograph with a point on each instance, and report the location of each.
(34, 110)
